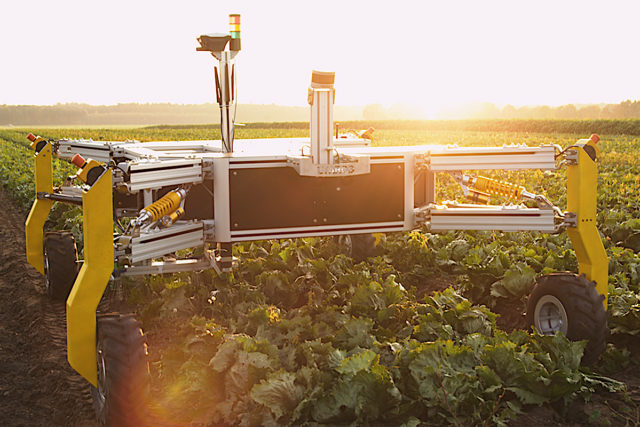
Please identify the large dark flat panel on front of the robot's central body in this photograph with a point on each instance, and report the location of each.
(278, 197)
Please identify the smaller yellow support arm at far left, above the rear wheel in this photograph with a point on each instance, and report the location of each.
(40, 210)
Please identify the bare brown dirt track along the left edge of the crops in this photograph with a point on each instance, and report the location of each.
(37, 385)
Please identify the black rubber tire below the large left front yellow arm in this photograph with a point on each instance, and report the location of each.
(122, 395)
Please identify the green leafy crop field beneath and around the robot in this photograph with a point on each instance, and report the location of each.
(429, 331)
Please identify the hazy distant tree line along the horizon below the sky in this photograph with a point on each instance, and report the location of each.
(174, 114)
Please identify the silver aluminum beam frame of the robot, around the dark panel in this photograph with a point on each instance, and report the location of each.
(154, 165)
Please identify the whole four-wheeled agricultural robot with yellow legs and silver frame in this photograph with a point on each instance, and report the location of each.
(164, 197)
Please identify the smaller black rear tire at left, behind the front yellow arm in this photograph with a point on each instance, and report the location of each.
(61, 266)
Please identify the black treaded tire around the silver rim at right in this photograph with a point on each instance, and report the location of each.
(585, 312)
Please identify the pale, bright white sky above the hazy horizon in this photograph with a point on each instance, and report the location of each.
(429, 54)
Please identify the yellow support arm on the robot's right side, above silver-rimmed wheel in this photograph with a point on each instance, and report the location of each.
(582, 181)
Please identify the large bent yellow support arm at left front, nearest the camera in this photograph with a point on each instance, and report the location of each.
(92, 279)
